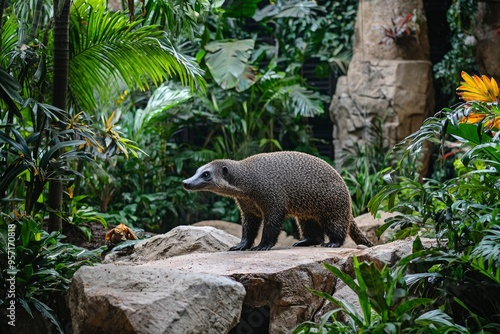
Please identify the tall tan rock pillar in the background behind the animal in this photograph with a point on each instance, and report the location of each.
(389, 79)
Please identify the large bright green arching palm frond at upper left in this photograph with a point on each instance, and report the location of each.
(107, 50)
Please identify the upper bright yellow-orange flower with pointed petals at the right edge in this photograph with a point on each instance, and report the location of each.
(478, 88)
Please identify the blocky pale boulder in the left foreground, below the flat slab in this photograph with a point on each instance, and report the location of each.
(136, 299)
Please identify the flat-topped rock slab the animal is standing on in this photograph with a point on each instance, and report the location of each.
(275, 280)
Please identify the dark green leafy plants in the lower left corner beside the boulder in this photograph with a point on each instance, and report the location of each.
(41, 264)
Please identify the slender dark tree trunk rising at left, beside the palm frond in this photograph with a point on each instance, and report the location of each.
(59, 100)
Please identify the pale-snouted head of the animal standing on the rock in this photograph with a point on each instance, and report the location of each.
(216, 176)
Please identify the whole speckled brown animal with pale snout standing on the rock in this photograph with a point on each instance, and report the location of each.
(269, 187)
